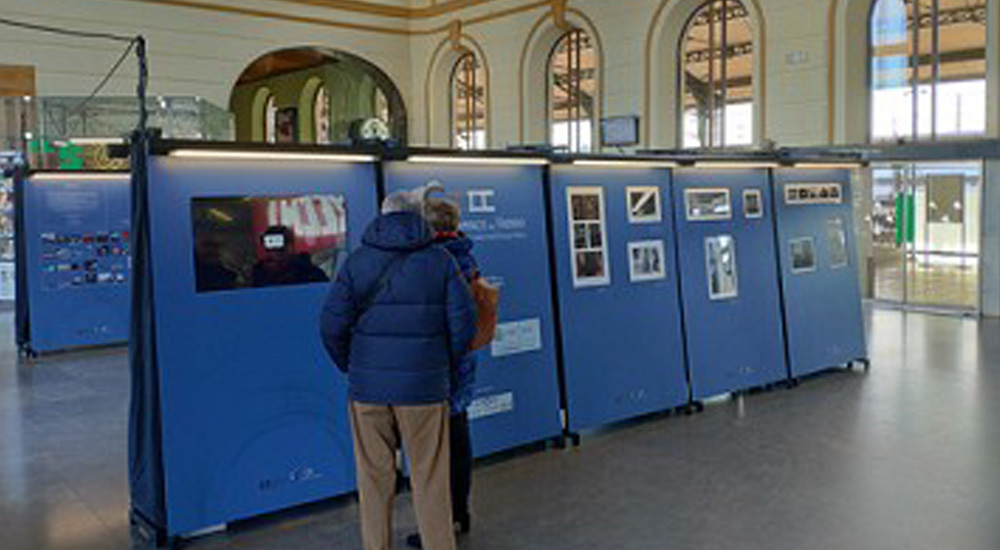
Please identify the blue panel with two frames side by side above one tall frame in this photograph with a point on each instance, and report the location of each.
(729, 277)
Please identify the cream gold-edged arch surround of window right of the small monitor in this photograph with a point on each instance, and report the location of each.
(661, 94)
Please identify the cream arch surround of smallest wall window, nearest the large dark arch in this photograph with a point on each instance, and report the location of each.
(437, 88)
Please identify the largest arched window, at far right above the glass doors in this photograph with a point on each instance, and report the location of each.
(928, 69)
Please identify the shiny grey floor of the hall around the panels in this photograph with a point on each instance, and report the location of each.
(906, 457)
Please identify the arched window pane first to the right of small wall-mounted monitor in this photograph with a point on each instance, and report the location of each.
(716, 76)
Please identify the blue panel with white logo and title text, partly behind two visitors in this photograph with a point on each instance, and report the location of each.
(503, 207)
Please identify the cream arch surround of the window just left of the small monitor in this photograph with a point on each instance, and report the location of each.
(533, 82)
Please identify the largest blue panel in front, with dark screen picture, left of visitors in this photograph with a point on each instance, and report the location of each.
(254, 413)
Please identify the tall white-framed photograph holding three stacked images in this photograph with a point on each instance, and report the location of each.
(588, 237)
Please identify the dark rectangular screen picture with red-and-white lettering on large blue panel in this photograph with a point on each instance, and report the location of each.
(256, 242)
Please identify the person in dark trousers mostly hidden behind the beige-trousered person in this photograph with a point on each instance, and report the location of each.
(445, 217)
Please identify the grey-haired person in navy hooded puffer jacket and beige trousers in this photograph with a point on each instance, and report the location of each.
(398, 320)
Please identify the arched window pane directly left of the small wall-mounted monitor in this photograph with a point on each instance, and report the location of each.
(573, 92)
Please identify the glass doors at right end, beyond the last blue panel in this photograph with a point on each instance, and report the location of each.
(925, 232)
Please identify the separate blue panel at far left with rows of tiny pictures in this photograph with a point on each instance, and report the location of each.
(77, 263)
